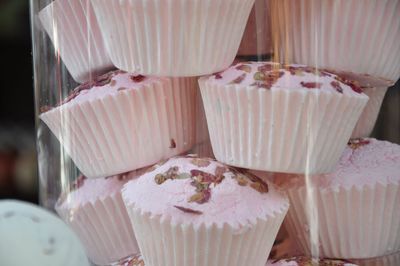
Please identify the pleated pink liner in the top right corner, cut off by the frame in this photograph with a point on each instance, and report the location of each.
(349, 35)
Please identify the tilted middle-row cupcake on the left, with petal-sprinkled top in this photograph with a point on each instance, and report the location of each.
(121, 122)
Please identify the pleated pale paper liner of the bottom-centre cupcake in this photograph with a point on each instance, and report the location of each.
(164, 243)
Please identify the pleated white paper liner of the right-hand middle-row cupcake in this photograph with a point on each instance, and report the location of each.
(291, 131)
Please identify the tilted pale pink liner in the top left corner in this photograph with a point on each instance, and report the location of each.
(75, 33)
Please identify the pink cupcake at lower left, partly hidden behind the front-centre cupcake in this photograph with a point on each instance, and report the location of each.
(95, 211)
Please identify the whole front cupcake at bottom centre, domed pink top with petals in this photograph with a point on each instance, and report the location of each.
(197, 211)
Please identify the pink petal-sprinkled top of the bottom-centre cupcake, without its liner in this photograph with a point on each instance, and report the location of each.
(203, 191)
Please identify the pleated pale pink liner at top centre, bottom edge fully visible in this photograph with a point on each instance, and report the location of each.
(172, 38)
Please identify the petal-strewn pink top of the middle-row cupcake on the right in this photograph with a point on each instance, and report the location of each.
(271, 75)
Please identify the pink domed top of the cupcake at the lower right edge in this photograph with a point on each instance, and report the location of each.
(364, 162)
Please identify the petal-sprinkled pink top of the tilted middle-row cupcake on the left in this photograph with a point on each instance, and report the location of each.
(110, 83)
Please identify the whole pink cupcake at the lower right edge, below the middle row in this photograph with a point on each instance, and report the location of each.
(355, 208)
